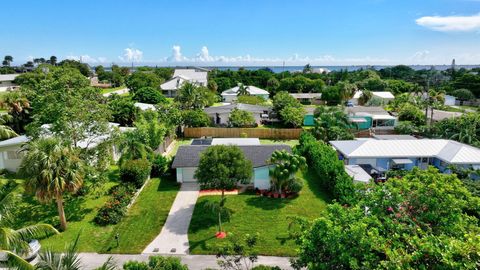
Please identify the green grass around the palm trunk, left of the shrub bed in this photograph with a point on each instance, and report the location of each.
(80, 212)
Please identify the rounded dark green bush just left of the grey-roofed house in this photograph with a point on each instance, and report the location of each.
(135, 171)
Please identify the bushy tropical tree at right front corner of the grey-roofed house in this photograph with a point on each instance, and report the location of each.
(286, 165)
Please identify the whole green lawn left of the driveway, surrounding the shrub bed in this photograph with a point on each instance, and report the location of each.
(142, 223)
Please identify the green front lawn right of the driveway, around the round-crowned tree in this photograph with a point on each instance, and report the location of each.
(252, 214)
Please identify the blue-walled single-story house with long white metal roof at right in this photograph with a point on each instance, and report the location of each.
(384, 155)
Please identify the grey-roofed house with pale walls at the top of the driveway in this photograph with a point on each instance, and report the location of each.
(188, 157)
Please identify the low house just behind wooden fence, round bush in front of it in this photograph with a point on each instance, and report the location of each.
(221, 114)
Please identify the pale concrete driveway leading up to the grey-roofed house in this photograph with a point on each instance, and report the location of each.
(173, 239)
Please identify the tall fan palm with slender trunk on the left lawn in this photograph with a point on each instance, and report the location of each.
(51, 169)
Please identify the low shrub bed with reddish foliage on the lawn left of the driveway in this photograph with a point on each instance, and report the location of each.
(116, 207)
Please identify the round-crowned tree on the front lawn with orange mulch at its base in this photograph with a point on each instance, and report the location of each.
(223, 167)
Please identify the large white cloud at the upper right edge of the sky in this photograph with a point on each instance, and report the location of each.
(451, 23)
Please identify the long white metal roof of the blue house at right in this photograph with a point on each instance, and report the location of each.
(447, 150)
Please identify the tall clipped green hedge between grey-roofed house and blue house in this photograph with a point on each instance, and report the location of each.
(324, 160)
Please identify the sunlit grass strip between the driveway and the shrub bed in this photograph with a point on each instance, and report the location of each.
(145, 218)
